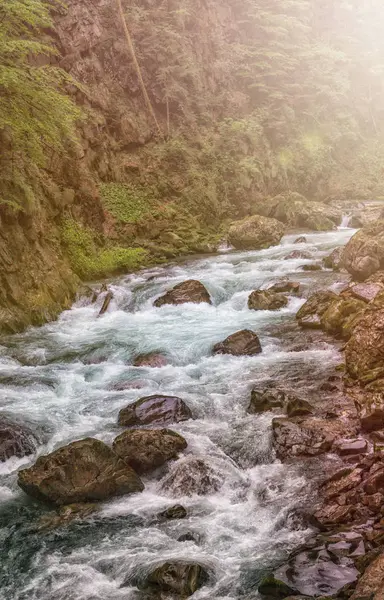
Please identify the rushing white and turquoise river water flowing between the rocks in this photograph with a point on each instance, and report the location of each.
(61, 380)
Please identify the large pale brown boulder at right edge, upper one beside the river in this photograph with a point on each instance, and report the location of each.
(364, 253)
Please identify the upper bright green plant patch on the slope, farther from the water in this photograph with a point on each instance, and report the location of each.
(127, 203)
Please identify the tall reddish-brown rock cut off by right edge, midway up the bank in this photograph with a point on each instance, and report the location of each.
(364, 353)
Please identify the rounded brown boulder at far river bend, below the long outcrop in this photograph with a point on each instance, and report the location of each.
(255, 233)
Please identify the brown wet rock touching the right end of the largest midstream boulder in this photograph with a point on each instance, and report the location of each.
(147, 449)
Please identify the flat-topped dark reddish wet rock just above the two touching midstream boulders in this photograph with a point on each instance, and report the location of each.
(154, 410)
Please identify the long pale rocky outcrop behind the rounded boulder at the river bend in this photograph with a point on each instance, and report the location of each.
(295, 210)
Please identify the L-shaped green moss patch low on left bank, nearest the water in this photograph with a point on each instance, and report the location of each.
(88, 261)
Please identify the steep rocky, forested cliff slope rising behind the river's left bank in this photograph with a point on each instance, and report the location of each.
(237, 106)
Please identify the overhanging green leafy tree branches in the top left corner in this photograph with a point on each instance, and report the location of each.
(37, 118)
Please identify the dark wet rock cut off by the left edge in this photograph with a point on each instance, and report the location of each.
(15, 440)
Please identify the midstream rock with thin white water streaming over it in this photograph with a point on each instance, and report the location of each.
(191, 476)
